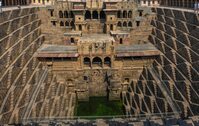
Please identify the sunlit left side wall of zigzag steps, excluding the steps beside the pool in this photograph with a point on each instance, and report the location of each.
(20, 37)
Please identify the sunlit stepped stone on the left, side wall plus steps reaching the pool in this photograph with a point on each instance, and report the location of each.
(27, 88)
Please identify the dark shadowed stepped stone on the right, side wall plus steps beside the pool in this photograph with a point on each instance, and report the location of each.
(175, 34)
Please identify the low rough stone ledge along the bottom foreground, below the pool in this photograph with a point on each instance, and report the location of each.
(120, 122)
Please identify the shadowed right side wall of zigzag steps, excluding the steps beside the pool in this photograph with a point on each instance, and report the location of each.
(182, 67)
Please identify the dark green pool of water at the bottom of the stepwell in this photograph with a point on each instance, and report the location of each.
(99, 106)
